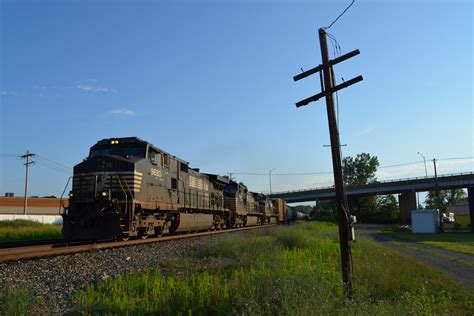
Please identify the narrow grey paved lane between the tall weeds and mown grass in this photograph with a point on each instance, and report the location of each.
(456, 265)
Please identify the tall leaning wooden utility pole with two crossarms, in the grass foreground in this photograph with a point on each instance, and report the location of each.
(329, 87)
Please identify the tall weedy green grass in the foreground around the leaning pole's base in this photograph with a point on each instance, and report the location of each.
(285, 271)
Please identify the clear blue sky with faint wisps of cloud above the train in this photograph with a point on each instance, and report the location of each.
(211, 82)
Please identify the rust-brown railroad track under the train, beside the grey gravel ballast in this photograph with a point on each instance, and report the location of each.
(67, 248)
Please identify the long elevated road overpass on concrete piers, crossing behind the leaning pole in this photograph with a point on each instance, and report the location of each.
(406, 188)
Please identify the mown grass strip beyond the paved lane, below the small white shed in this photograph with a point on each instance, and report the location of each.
(456, 241)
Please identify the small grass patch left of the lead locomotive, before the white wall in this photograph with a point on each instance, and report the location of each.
(28, 230)
